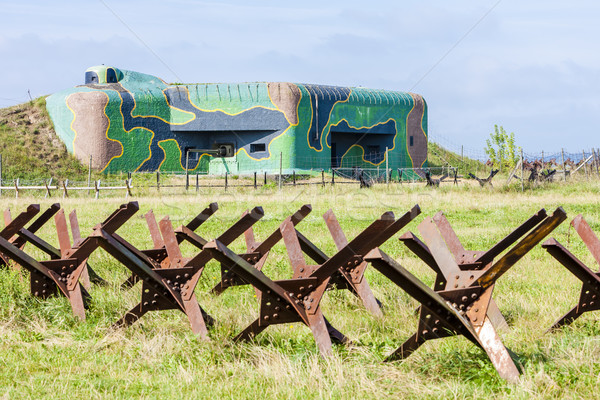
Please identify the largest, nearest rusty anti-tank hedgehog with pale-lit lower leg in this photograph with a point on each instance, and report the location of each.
(461, 301)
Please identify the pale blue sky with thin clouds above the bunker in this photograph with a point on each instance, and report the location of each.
(532, 67)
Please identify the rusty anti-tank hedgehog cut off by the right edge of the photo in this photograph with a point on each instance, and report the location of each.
(589, 298)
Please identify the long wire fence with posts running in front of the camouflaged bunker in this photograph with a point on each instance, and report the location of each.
(362, 171)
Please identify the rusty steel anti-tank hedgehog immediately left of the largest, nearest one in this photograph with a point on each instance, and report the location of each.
(299, 299)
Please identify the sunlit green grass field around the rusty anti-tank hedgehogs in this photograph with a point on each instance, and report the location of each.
(46, 353)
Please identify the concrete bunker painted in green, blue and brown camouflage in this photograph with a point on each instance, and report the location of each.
(129, 121)
